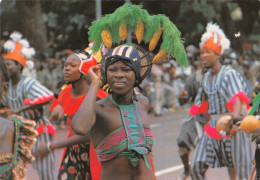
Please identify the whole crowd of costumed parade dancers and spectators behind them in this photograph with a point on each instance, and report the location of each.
(114, 132)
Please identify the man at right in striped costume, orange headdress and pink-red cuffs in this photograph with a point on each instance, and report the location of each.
(226, 92)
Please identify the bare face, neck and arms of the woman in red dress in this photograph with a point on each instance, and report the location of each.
(71, 73)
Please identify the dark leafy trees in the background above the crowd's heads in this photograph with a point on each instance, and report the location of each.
(54, 25)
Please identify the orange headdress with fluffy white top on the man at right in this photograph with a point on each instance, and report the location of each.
(214, 39)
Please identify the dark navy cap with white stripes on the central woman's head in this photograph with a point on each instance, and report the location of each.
(129, 56)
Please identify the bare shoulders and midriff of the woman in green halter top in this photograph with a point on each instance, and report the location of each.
(108, 119)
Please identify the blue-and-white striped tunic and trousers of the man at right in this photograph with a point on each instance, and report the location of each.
(234, 151)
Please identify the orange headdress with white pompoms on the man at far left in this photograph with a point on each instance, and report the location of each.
(18, 49)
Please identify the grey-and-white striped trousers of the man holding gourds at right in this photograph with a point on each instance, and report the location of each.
(234, 152)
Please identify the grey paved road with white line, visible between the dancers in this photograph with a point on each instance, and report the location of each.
(166, 159)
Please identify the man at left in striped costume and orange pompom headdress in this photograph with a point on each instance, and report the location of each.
(26, 97)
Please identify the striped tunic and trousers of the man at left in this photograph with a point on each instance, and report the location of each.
(31, 88)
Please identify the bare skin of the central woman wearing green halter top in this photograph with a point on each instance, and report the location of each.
(103, 117)
